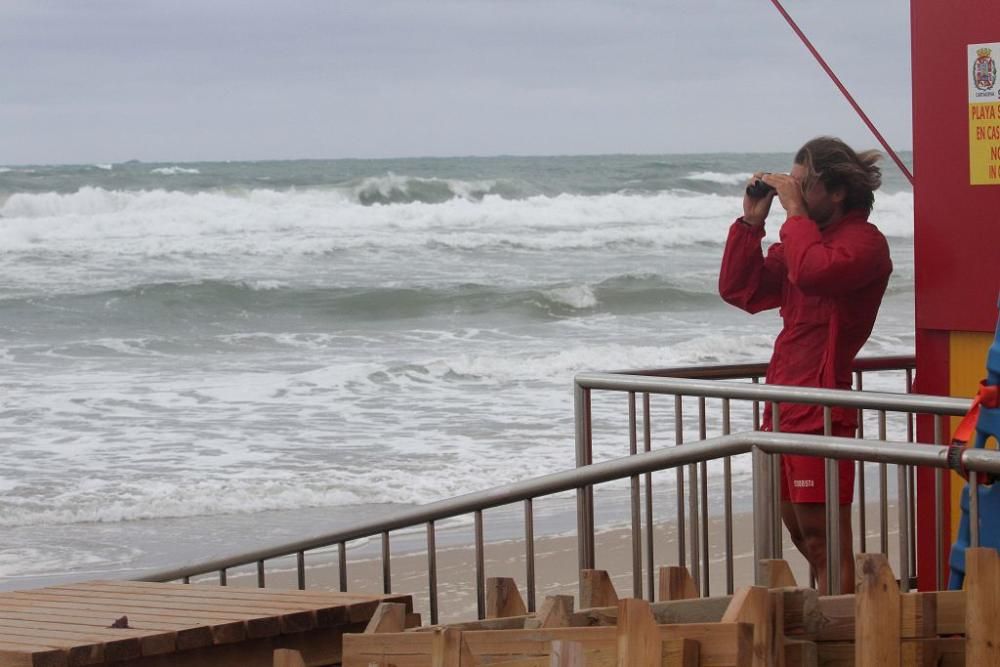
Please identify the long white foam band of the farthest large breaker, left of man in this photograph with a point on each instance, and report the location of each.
(266, 222)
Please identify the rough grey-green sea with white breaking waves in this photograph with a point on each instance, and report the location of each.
(203, 358)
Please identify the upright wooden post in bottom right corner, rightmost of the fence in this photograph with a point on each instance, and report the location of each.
(982, 606)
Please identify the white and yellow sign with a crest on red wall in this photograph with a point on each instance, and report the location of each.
(984, 114)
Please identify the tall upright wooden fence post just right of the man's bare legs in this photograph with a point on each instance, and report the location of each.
(877, 633)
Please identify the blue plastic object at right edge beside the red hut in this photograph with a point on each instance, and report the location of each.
(987, 425)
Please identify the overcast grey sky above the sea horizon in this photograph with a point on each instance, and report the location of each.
(193, 80)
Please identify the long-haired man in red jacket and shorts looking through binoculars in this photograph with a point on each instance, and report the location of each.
(827, 276)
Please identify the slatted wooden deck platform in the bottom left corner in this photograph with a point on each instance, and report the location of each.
(176, 624)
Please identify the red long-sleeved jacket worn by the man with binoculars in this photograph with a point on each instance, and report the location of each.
(828, 285)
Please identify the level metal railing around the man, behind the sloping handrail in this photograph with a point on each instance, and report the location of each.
(676, 382)
